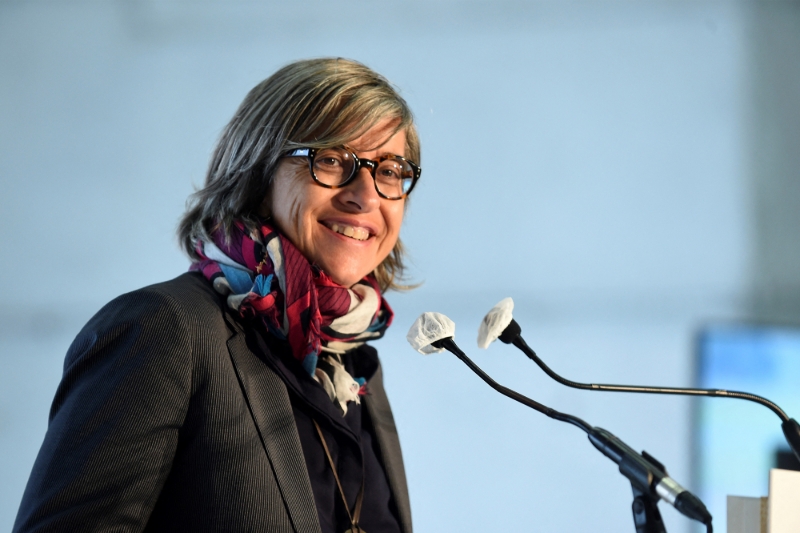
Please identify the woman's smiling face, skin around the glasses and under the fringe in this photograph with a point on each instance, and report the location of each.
(308, 213)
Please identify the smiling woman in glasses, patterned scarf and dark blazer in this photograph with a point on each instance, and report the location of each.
(241, 396)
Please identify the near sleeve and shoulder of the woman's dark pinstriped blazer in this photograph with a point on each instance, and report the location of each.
(125, 396)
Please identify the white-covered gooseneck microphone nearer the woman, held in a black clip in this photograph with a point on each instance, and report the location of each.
(648, 477)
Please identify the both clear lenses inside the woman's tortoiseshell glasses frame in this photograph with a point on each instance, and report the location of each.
(393, 175)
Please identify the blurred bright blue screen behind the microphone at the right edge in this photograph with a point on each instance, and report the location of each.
(738, 441)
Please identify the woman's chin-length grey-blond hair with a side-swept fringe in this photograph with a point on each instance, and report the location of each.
(316, 103)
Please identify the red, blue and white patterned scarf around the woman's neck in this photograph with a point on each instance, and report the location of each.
(264, 276)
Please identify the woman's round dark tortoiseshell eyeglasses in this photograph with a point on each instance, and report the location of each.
(394, 176)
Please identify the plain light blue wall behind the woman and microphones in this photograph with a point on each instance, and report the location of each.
(591, 160)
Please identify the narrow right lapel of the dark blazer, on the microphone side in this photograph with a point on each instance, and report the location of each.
(382, 420)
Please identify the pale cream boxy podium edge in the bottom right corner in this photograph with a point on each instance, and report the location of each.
(777, 513)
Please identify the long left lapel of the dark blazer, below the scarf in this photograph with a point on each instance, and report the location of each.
(272, 412)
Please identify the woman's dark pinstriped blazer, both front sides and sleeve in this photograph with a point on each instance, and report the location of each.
(166, 420)
